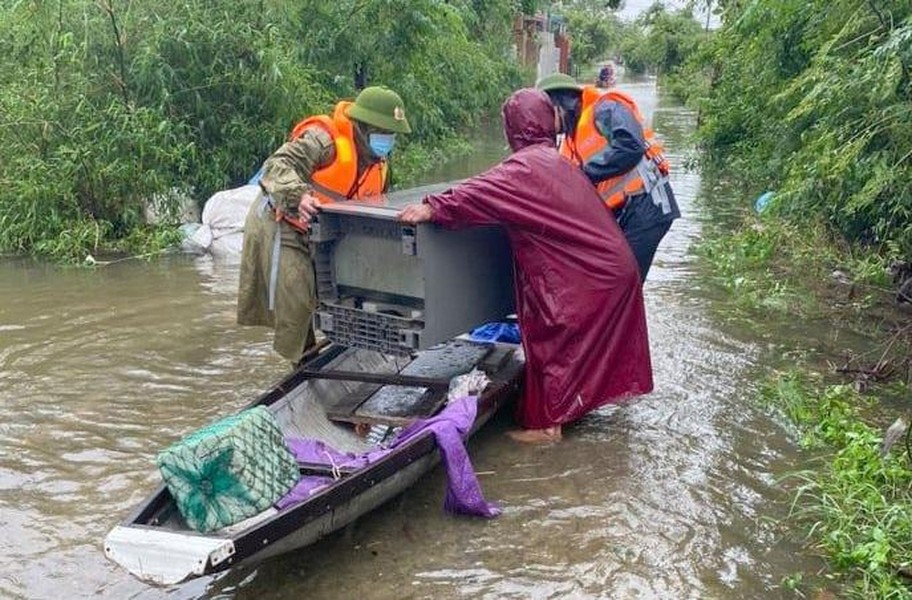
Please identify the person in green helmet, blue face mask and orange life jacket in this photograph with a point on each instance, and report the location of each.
(326, 159)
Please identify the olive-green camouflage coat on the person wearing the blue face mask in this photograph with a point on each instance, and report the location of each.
(285, 179)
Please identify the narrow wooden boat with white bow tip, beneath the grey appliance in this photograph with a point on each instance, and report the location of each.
(352, 400)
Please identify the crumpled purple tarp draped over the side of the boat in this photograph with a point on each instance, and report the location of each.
(450, 427)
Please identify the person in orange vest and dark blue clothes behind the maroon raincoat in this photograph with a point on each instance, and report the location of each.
(606, 136)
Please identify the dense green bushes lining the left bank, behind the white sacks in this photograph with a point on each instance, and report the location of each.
(108, 104)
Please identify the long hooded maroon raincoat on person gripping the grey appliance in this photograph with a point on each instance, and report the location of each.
(578, 294)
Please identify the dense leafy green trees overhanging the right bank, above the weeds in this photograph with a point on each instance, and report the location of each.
(814, 97)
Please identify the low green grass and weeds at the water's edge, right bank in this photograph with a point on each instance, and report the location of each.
(854, 504)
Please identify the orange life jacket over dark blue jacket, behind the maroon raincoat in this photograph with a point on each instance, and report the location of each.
(587, 141)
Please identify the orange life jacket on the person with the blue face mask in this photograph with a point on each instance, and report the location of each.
(341, 176)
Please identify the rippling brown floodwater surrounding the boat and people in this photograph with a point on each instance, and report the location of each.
(673, 496)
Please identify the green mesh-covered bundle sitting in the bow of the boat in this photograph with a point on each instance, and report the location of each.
(230, 470)
